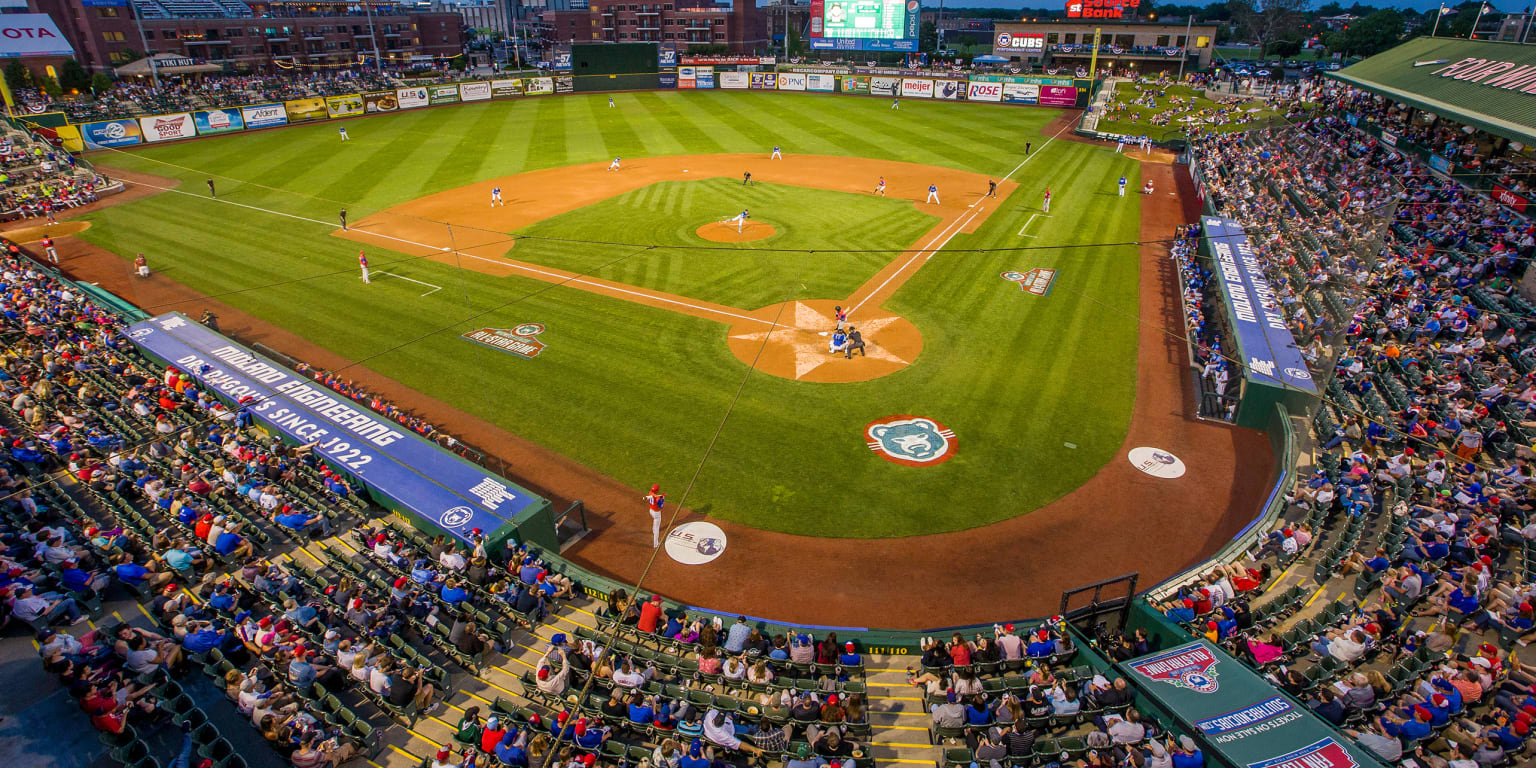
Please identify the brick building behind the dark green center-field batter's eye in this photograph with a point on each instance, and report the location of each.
(737, 25)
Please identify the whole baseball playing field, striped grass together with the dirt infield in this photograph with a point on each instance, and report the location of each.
(672, 348)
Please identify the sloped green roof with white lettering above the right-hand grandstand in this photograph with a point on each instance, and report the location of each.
(1497, 90)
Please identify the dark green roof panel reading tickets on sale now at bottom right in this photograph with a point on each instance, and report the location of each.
(1237, 713)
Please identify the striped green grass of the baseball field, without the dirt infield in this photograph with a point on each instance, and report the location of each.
(640, 394)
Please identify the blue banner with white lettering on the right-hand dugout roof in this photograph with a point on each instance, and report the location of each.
(1270, 353)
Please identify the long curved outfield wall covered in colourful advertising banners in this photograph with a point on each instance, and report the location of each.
(1059, 93)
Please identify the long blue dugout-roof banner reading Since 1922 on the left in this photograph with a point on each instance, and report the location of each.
(391, 460)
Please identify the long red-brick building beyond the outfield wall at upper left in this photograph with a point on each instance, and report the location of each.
(253, 38)
